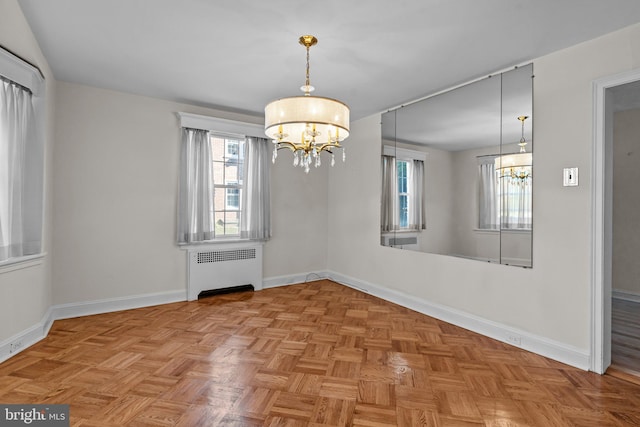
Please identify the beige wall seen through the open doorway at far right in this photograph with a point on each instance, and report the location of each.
(626, 202)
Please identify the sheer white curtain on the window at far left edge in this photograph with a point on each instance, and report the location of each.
(20, 191)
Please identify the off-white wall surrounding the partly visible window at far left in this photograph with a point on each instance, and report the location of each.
(25, 294)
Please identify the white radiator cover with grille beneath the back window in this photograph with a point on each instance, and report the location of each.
(222, 268)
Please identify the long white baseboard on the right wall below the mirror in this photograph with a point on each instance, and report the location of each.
(543, 346)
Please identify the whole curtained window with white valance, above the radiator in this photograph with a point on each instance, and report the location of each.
(224, 188)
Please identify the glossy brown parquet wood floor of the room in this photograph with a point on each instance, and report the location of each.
(315, 354)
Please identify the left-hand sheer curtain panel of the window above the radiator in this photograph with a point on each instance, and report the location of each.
(195, 193)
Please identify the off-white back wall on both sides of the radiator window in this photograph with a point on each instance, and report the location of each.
(116, 164)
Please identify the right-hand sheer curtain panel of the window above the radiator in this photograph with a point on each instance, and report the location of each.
(255, 222)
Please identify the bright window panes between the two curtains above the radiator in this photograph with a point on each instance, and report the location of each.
(228, 161)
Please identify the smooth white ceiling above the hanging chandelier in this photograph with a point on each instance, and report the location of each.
(238, 55)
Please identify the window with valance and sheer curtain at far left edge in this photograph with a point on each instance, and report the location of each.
(21, 160)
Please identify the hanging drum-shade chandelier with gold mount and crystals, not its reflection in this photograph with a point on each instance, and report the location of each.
(307, 125)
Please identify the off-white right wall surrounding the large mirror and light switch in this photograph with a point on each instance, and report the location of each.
(551, 300)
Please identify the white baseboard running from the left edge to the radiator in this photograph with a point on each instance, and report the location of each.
(15, 344)
